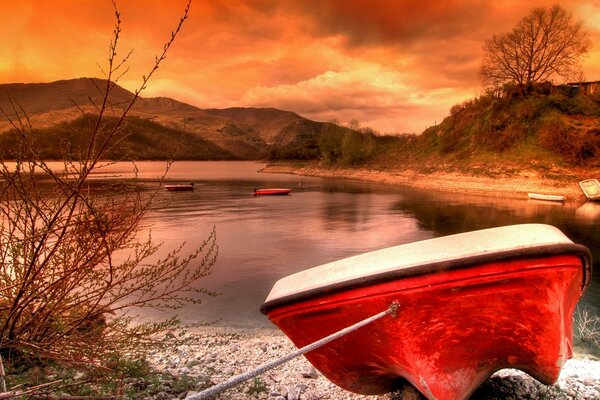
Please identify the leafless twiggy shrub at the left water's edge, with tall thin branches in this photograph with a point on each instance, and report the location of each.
(71, 257)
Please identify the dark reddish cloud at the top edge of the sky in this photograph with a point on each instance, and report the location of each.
(396, 23)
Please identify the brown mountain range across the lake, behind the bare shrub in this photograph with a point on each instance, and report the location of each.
(159, 127)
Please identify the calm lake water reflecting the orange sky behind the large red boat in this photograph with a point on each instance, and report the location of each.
(262, 239)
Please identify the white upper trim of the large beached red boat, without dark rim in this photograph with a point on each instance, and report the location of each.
(409, 257)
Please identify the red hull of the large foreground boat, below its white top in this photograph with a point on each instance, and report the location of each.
(455, 328)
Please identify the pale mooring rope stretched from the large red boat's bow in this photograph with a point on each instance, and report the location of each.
(236, 380)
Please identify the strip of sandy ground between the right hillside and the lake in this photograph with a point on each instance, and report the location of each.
(516, 185)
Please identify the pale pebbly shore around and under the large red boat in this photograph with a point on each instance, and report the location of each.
(214, 355)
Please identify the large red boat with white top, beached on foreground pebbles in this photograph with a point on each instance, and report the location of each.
(469, 305)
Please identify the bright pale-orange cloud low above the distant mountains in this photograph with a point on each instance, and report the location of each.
(367, 93)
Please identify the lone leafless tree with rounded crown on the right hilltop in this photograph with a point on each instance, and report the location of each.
(545, 44)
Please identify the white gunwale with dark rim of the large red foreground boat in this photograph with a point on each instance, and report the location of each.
(533, 241)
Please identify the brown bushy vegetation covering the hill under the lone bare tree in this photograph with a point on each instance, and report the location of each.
(533, 128)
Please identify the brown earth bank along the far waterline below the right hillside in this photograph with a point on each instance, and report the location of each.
(503, 182)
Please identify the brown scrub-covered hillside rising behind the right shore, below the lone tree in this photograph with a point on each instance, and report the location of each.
(489, 134)
